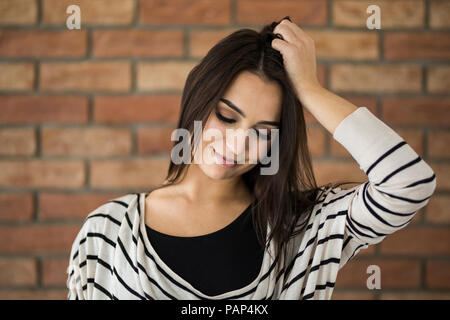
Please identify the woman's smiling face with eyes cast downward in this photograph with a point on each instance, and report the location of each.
(249, 106)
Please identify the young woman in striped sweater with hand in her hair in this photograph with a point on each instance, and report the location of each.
(224, 230)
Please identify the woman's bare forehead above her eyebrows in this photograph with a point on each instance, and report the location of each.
(260, 100)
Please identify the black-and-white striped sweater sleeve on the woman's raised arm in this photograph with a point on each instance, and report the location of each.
(399, 182)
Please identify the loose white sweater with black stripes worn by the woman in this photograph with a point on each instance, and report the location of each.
(112, 258)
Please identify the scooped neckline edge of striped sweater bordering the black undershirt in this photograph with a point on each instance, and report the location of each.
(173, 275)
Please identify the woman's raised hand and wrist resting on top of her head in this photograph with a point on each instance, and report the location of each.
(299, 56)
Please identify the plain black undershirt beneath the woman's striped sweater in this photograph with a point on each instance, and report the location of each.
(215, 263)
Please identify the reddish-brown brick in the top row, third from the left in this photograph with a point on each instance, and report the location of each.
(185, 12)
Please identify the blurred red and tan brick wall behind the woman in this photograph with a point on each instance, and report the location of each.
(86, 115)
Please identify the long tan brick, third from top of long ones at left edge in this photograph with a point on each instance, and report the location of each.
(41, 173)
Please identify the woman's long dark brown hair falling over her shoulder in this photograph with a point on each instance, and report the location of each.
(290, 194)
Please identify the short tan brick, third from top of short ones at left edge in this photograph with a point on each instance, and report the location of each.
(17, 141)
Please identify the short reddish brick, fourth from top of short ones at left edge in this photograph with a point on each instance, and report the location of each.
(16, 206)
